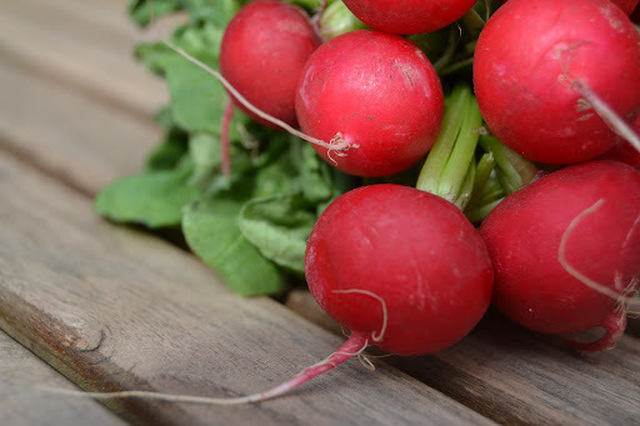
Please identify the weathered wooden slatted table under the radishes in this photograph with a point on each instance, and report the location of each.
(90, 305)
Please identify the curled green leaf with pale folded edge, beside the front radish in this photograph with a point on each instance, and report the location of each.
(279, 227)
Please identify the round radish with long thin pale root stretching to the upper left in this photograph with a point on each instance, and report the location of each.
(372, 90)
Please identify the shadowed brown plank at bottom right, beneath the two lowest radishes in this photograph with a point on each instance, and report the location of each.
(517, 377)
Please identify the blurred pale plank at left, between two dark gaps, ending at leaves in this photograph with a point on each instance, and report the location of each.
(75, 137)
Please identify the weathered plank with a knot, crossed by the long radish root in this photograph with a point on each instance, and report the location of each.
(115, 309)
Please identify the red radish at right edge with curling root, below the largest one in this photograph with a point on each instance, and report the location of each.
(566, 250)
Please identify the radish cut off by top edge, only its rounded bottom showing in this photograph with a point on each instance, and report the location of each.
(409, 16)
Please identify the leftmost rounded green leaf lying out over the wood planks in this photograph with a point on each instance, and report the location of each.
(154, 199)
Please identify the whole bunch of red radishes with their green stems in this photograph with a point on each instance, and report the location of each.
(401, 266)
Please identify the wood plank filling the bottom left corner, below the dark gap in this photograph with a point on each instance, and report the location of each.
(21, 404)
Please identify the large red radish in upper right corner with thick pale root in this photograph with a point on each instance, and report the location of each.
(531, 85)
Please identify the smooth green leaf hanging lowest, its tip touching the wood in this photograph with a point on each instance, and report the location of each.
(211, 230)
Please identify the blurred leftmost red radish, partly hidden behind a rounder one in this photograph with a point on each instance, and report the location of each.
(263, 51)
